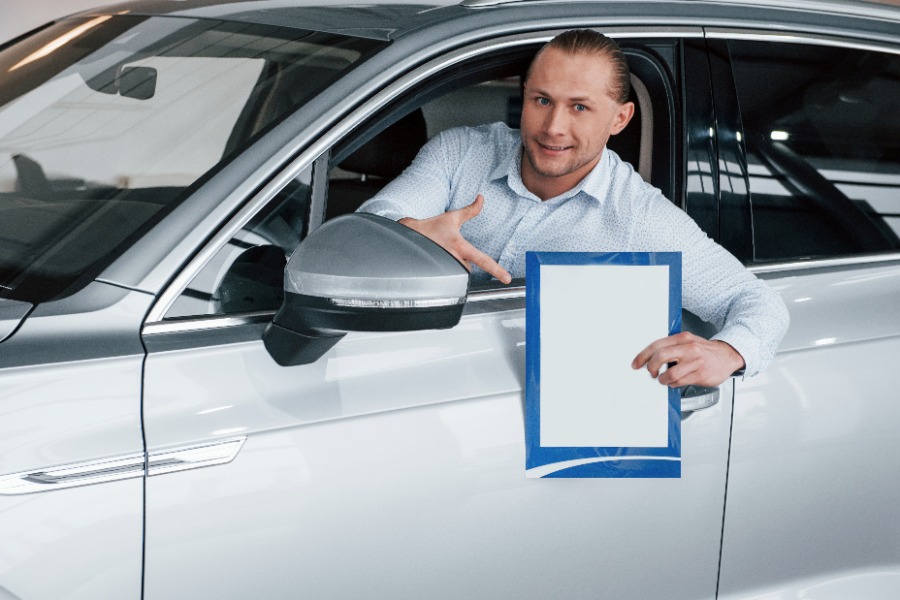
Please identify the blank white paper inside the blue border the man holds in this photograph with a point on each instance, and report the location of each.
(594, 321)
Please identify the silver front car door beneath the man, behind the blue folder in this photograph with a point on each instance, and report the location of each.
(393, 466)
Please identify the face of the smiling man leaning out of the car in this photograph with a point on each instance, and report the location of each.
(567, 119)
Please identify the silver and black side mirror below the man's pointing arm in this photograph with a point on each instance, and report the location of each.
(362, 272)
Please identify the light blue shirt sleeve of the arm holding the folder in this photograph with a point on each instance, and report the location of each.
(750, 316)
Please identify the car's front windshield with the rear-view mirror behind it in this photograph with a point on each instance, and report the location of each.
(106, 122)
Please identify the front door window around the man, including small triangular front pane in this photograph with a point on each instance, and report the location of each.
(245, 275)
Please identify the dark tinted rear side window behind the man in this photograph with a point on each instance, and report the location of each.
(822, 136)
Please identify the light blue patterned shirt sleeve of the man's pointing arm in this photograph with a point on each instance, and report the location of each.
(423, 189)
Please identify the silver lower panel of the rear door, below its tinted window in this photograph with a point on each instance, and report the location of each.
(811, 495)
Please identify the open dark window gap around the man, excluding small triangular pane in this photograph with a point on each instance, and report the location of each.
(486, 92)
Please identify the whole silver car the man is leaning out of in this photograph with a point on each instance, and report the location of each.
(160, 160)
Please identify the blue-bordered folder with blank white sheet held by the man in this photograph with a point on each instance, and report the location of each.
(550, 455)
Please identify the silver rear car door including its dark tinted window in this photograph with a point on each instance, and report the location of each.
(812, 499)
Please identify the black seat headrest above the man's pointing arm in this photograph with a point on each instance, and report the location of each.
(392, 150)
